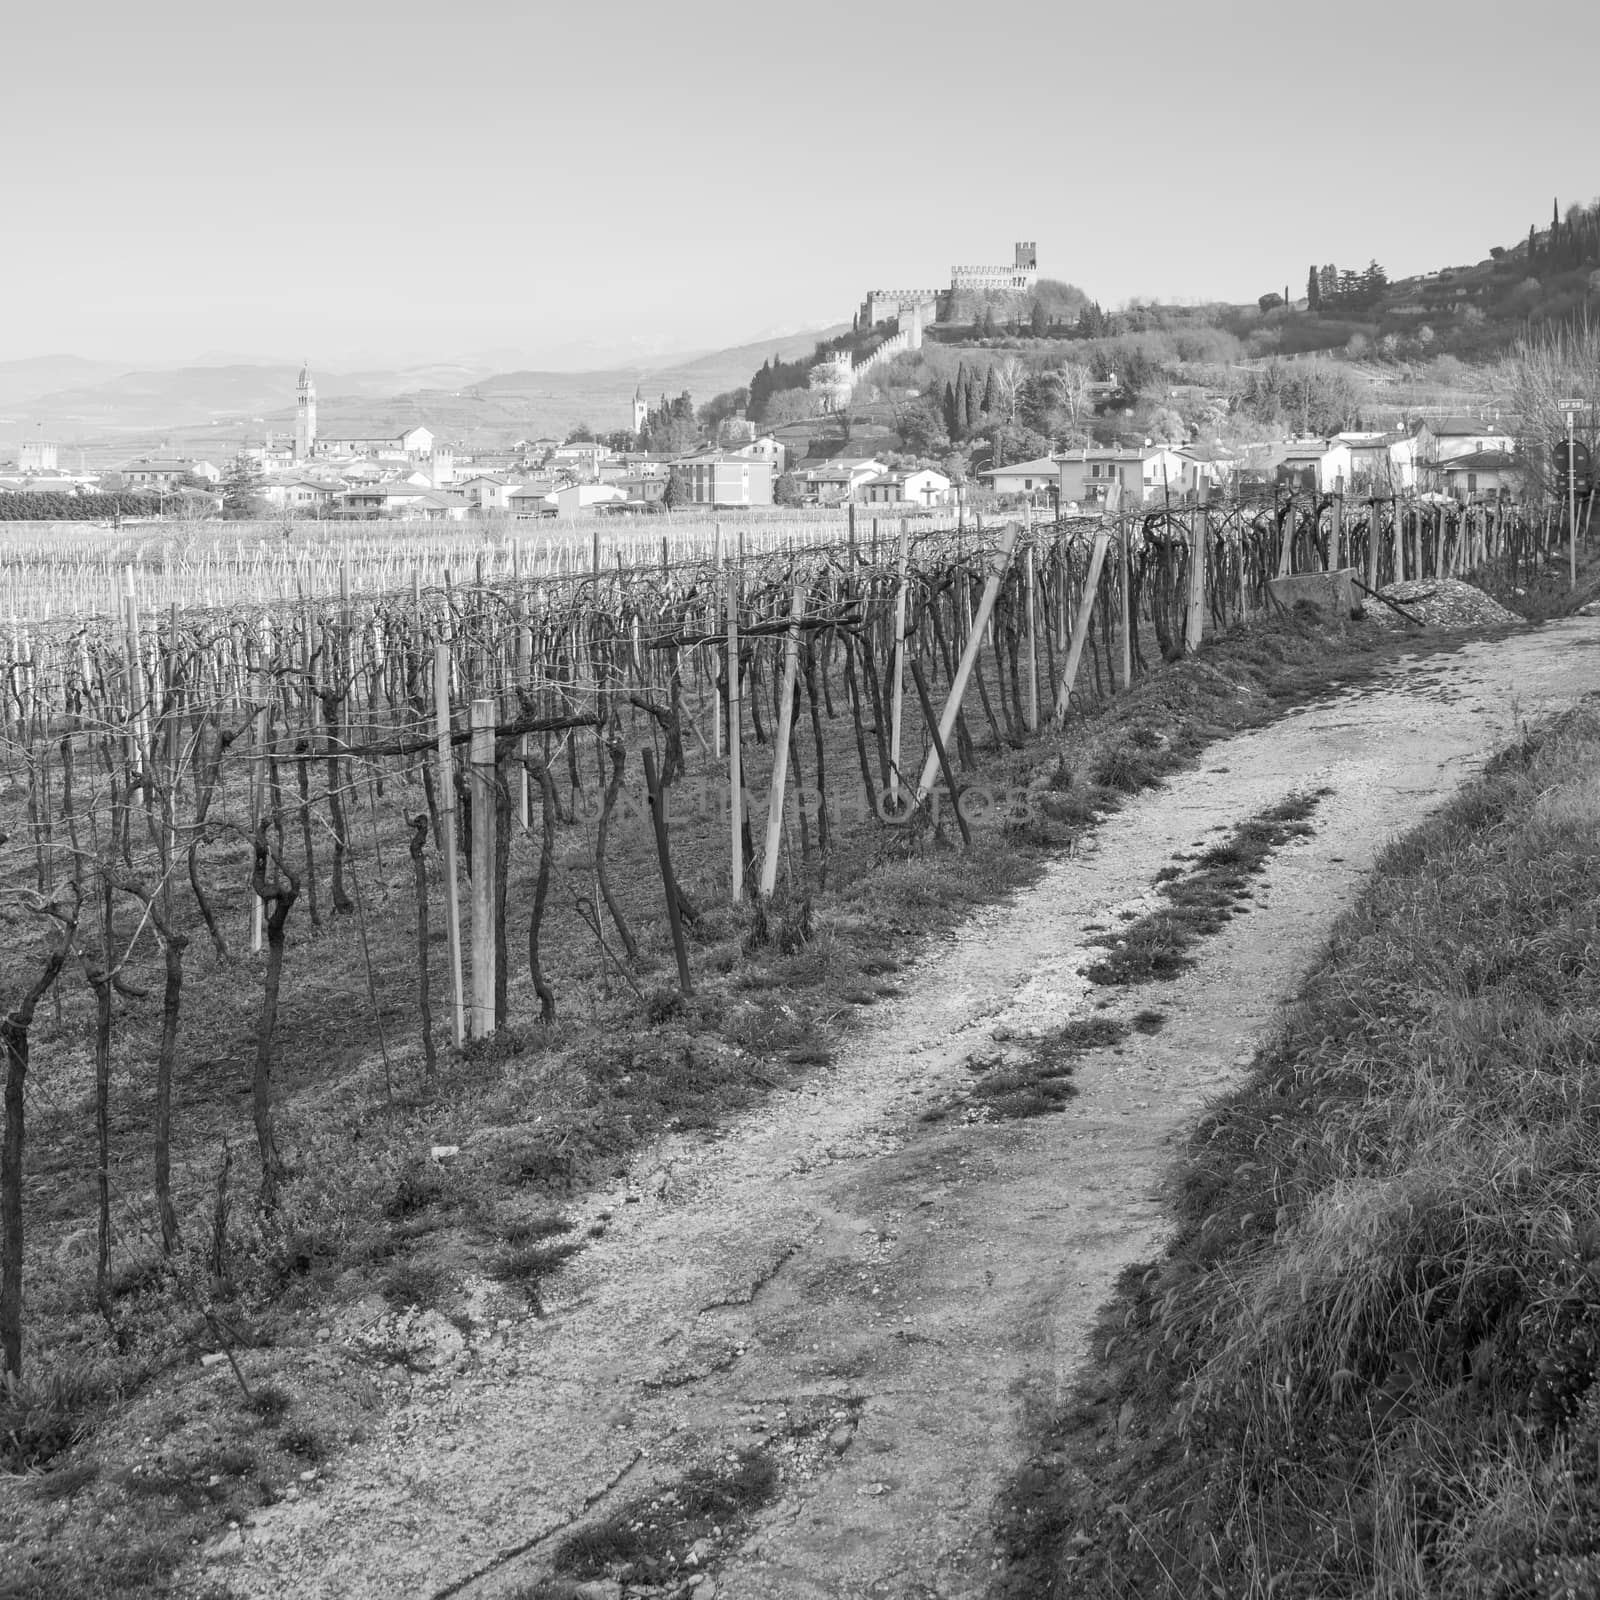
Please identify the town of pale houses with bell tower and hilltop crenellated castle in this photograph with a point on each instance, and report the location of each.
(865, 423)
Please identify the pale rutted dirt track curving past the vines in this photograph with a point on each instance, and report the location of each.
(881, 1302)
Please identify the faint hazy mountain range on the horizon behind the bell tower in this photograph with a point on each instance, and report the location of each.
(82, 402)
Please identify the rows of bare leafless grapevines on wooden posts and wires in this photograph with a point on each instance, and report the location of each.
(274, 812)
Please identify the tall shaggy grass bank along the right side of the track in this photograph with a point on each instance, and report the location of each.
(1367, 1362)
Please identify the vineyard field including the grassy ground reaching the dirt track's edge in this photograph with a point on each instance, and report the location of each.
(228, 959)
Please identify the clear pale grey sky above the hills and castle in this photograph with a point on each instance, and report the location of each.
(572, 182)
